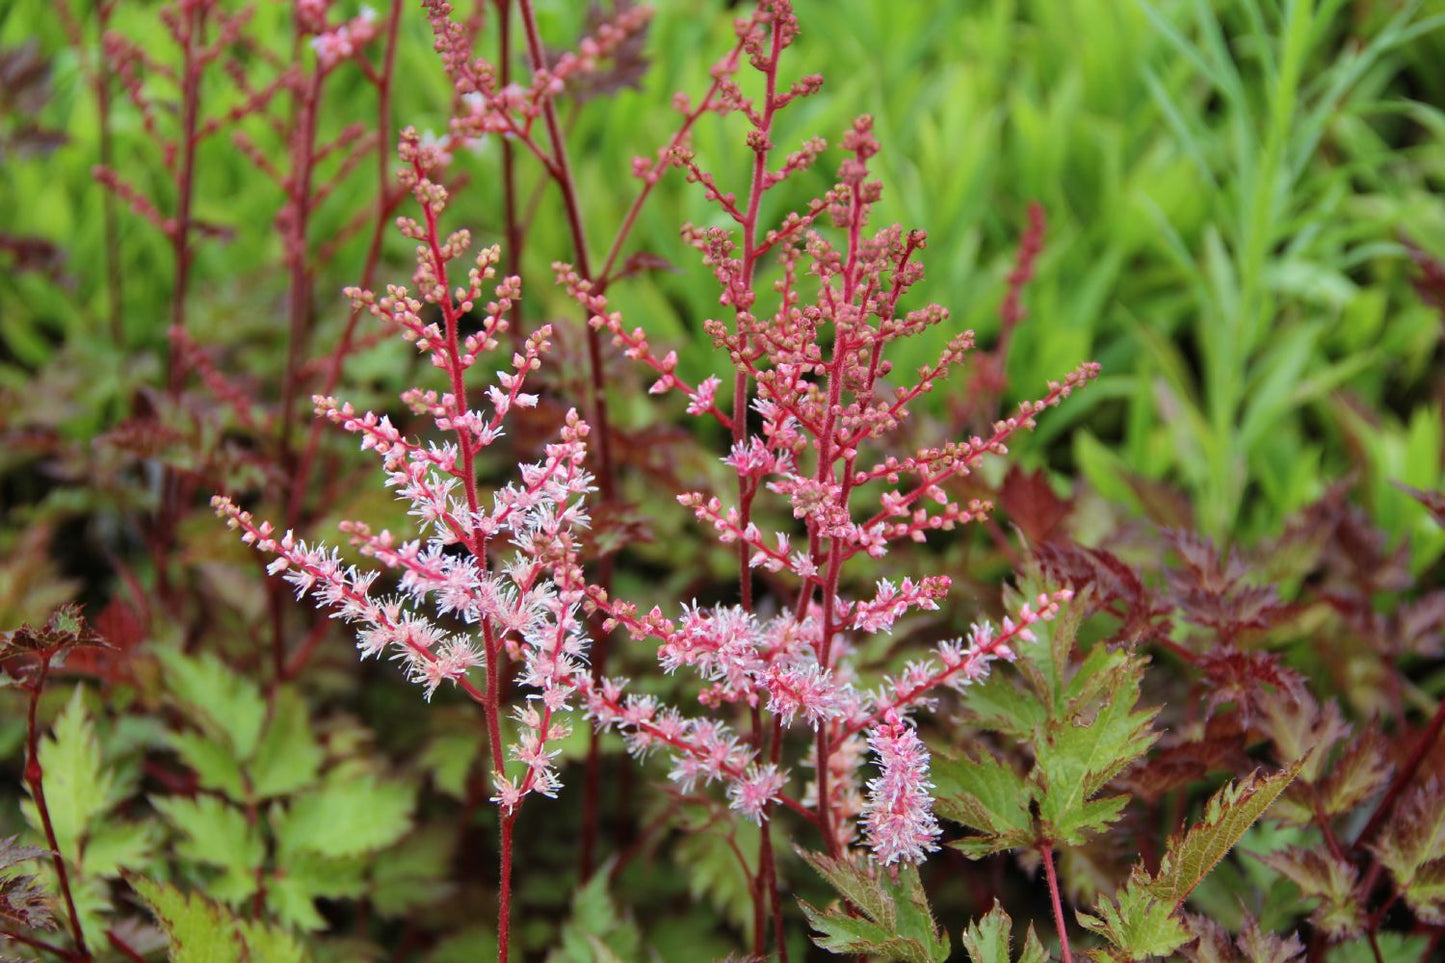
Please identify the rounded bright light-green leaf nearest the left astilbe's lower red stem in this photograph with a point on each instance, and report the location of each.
(348, 816)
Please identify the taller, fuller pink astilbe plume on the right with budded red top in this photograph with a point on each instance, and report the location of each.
(814, 377)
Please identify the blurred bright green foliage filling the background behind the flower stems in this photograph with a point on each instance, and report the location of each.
(1229, 189)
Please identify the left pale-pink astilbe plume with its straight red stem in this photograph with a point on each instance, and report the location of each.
(508, 568)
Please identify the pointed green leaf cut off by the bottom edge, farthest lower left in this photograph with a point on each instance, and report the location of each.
(204, 932)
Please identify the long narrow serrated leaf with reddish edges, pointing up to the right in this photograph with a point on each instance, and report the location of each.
(1228, 816)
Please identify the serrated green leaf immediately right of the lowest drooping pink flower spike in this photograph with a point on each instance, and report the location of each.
(986, 796)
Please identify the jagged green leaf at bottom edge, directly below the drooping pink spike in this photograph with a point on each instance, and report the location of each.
(897, 923)
